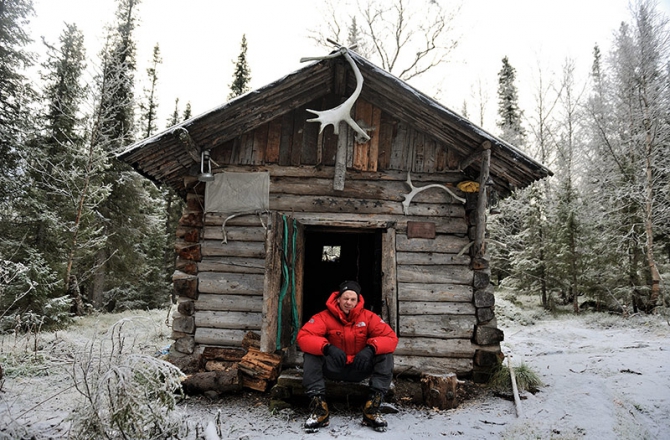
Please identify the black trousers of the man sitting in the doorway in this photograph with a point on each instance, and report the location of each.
(318, 368)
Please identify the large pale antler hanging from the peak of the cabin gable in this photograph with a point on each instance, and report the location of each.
(343, 111)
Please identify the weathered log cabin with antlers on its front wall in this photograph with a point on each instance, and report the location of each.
(281, 206)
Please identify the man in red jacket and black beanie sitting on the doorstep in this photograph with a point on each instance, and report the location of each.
(346, 342)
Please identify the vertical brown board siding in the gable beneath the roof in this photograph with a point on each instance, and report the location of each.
(291, 141)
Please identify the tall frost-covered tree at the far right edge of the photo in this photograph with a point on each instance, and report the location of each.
(629, 113)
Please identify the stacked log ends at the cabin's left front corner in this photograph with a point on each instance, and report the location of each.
(185, 278)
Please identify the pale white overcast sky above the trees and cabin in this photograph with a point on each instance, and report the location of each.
(200, 41)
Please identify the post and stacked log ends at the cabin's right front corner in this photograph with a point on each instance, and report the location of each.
(487, 335)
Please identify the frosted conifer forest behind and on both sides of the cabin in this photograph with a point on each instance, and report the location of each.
(81, 231)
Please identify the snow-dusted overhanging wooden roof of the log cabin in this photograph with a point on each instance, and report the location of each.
(173, 154)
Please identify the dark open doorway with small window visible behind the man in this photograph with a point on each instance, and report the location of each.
(332, 256)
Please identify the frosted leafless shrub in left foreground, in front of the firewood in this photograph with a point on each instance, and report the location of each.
(124, 395)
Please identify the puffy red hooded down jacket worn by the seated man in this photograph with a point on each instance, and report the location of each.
(349, 333)
